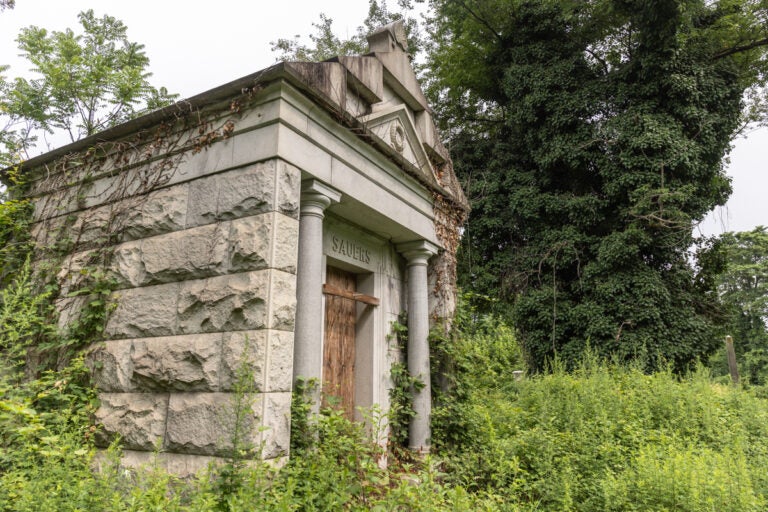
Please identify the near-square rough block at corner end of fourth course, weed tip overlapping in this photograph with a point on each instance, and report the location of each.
(243, 350)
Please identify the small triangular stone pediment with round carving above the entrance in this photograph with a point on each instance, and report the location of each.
(395, 128)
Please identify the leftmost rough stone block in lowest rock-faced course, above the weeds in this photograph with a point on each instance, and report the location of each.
(138, 418)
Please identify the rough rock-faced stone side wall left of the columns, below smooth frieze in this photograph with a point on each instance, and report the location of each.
(206, 272)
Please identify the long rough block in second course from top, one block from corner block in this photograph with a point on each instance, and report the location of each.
(189, 254)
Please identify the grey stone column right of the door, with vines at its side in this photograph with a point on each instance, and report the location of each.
(417, 254)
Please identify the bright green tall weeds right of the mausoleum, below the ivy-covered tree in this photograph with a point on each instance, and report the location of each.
(606, 437)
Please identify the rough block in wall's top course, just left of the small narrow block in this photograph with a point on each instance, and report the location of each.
(161, 211)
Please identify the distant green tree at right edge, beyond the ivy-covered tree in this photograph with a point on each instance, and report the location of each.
(744, 289)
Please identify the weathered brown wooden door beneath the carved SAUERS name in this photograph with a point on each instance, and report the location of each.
(339, 344)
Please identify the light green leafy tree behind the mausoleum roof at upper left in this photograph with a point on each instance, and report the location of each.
(85, 83)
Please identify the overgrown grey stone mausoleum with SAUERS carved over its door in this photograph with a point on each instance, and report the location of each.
(286, 219)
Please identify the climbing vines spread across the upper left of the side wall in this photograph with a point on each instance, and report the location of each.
(67, 216)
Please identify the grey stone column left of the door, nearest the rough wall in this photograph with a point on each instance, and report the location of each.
(308, 342)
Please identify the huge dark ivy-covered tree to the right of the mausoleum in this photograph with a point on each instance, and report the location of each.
(590, 136)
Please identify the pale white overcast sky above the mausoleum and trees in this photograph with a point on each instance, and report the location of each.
(194, 46)
